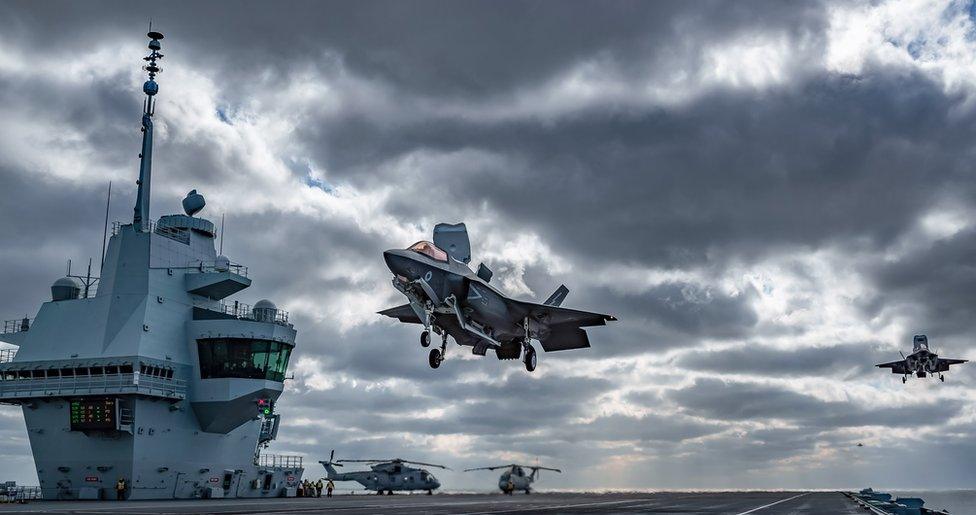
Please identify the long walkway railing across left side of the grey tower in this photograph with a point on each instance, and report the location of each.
(14, 386)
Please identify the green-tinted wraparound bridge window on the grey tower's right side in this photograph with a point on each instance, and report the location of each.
(243, 358)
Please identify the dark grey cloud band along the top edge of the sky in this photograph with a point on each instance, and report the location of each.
(456, 49)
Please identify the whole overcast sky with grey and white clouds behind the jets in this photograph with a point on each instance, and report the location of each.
(771, 197)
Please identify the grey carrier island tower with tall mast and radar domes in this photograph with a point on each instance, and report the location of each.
(156, 377)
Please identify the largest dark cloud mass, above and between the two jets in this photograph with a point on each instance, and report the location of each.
(692, 185)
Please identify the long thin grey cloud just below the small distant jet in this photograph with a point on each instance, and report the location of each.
(724, 400)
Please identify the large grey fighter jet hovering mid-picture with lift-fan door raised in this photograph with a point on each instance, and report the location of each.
(447, 297)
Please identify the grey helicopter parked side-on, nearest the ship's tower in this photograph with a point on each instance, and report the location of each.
(386, 475)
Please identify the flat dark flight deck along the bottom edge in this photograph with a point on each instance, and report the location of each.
(714, 503)
